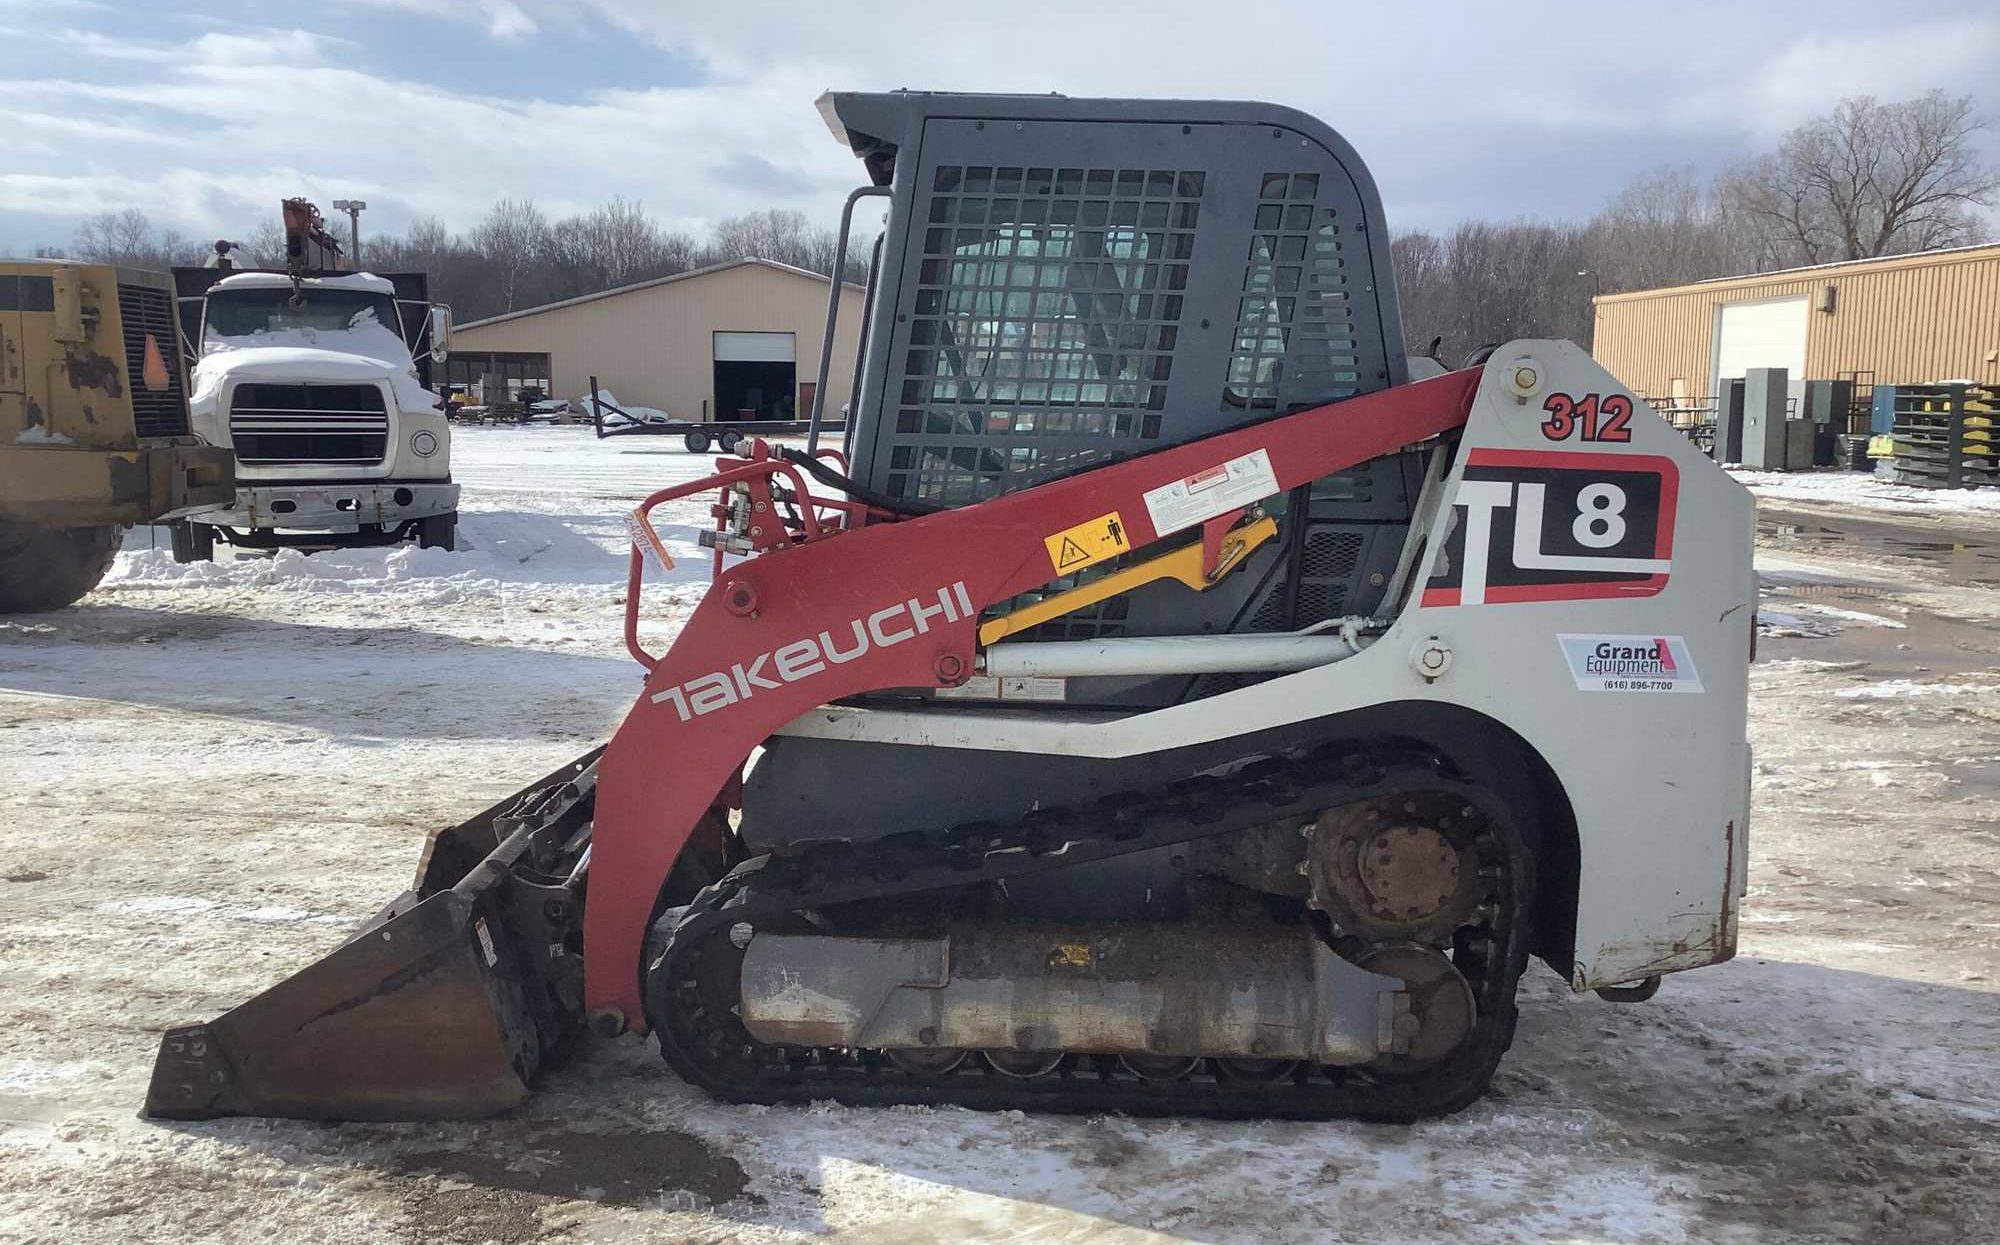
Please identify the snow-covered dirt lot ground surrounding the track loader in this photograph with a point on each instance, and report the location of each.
(213, 772)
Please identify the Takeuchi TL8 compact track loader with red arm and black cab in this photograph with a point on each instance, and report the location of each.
(1167, 704)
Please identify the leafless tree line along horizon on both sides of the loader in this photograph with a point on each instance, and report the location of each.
(1869, 179)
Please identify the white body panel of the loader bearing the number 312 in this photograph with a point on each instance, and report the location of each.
(1589, 587)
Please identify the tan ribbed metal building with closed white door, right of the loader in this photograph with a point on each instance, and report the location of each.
(1905, 319)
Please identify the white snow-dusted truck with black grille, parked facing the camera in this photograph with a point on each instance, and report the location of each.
(319, 385)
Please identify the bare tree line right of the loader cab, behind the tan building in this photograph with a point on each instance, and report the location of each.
(1865, 181)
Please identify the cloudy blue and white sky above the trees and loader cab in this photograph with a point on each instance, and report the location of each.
(209, 113)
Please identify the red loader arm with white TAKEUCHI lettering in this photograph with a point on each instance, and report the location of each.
(891, 605)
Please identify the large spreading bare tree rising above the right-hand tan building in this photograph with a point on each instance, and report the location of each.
(1871, 179)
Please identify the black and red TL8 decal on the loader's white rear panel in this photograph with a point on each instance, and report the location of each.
(1547, 525)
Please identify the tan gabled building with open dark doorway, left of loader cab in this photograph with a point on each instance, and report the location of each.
(729, 341)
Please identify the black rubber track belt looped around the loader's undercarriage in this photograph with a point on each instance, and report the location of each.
(693, 984)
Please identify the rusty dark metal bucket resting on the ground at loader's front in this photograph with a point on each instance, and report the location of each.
(441, 1008)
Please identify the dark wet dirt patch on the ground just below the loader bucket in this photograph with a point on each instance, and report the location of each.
(627, 1168)
